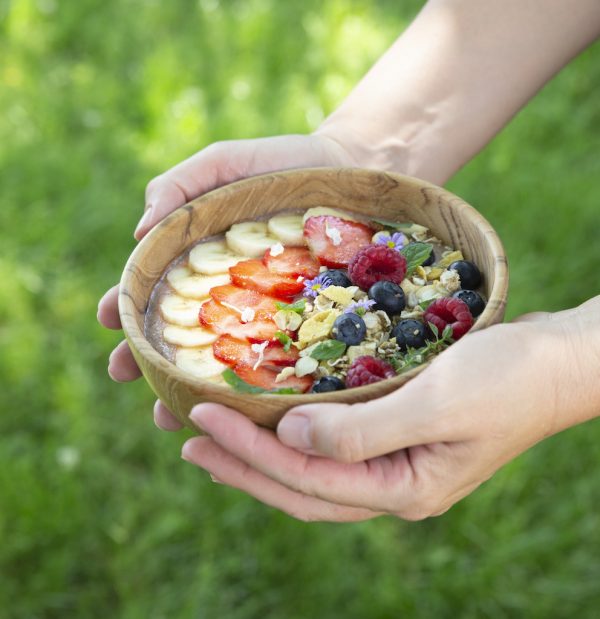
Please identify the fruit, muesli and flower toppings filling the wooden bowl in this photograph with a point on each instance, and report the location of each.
(322, 302)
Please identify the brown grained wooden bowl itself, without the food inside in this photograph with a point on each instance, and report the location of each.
(367, 192)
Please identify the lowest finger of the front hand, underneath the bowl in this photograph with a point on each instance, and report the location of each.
(204, 452)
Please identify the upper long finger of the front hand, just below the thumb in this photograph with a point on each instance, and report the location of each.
(382, 484)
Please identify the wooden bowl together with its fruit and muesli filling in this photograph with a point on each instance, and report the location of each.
(334, 285)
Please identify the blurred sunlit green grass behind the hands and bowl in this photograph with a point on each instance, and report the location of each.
(99, 516)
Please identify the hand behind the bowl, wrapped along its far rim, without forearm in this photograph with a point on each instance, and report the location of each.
(217, 165)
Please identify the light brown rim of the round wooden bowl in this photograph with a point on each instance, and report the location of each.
(133, 333)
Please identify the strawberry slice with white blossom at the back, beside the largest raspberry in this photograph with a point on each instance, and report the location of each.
(335, 241)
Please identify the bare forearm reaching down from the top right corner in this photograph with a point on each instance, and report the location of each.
(454, 78)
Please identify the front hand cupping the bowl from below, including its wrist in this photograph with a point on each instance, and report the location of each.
(417, 451)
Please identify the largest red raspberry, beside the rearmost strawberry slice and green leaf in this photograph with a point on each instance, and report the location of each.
(375, 263)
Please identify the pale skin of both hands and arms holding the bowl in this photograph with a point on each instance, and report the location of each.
(448, 84)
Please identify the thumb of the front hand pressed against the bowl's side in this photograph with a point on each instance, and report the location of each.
(412, 415)
